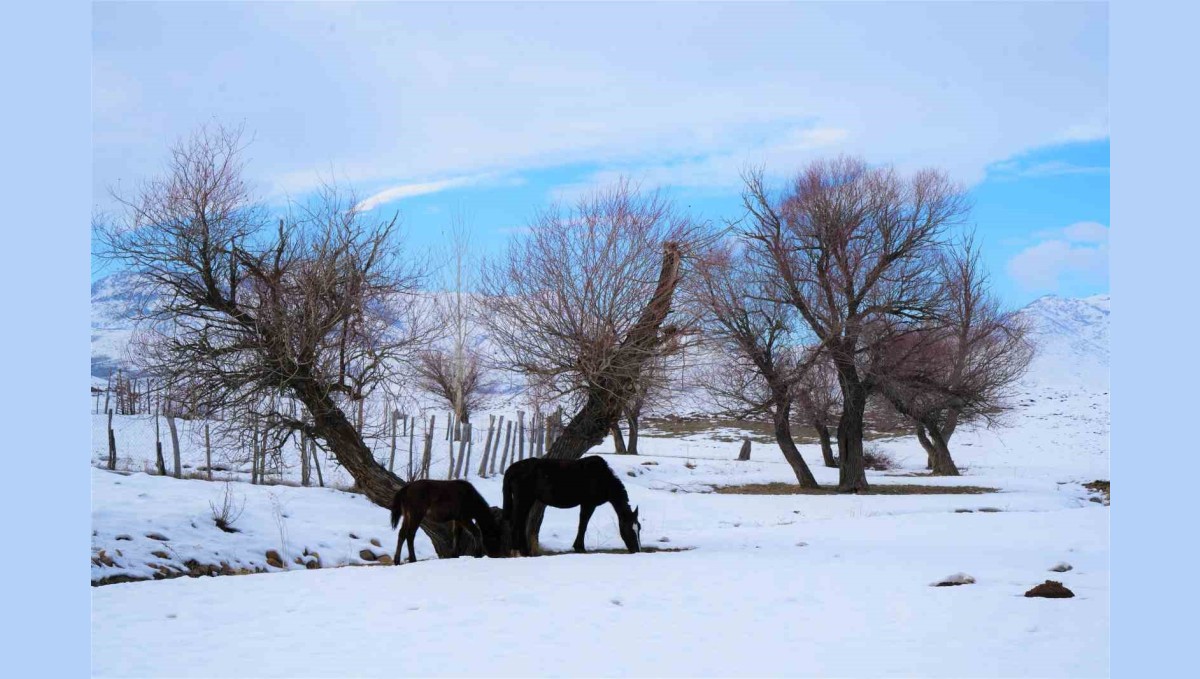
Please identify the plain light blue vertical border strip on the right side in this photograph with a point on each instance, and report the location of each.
(1154, 272)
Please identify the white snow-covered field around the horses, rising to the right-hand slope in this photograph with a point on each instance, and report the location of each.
(764, 585)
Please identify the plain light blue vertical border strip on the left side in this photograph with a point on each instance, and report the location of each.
(46, 160)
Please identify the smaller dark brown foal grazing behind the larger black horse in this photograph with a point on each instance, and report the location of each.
(457, 502)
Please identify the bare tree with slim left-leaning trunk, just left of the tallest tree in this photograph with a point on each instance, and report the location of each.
(755, 339)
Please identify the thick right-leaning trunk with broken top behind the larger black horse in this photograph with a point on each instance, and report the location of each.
(605, 401)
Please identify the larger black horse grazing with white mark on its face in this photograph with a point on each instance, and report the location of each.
(587, 484)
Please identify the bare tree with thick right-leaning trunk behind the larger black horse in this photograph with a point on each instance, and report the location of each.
(581, 303)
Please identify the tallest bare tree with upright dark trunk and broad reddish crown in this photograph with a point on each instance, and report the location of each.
(855, 249)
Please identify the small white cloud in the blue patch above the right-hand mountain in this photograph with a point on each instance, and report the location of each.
(1078, 254)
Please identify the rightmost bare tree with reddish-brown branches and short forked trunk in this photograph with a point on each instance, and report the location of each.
(962, 370)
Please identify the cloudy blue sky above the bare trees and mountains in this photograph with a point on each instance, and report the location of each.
(495, 111)
